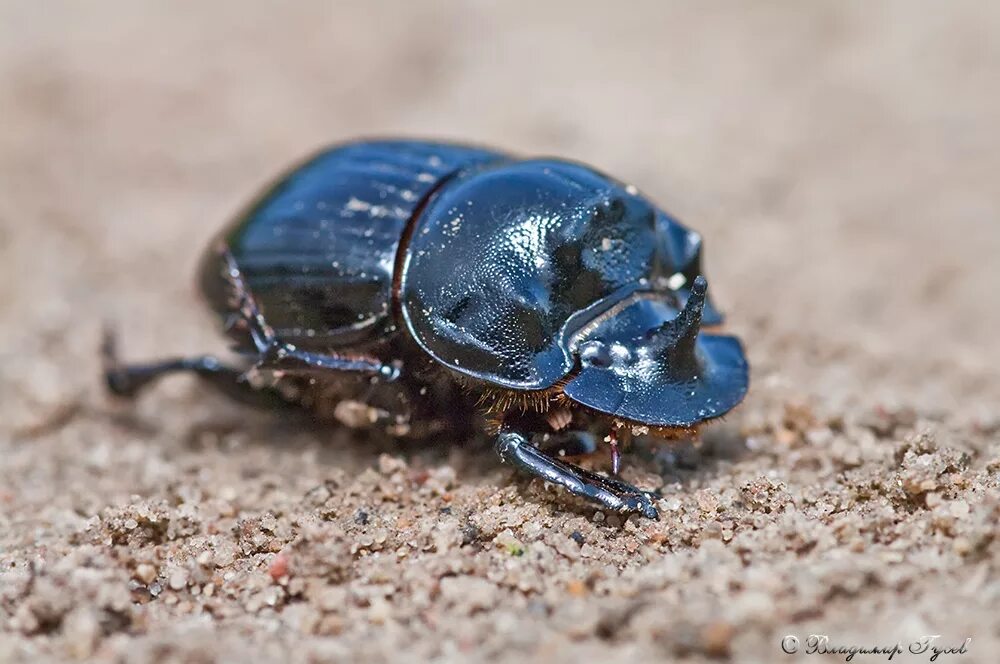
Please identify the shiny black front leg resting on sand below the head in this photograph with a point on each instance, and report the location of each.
(514, 447)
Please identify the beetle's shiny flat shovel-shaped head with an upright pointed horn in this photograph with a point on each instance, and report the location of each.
(647, 362)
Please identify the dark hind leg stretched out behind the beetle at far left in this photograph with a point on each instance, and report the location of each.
(126, 380)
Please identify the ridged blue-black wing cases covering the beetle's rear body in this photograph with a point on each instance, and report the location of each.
(318, 248)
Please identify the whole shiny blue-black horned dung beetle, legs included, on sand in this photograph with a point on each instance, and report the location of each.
(423, 288)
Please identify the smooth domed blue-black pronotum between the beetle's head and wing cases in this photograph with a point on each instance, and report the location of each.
(510, 259)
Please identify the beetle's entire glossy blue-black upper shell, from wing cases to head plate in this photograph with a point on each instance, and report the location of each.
(496, 267)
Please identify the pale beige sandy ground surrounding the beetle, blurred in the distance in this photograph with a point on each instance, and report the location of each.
(841, 160)
